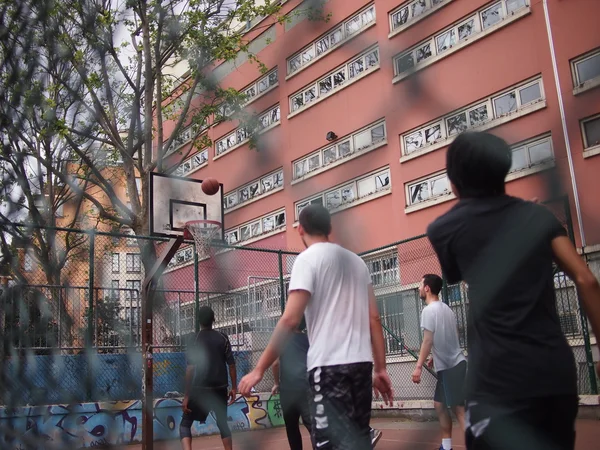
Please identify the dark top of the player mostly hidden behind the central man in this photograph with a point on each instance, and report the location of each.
(292, 363)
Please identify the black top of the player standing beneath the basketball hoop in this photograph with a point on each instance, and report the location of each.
(209, 352)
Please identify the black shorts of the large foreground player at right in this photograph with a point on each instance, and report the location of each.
(546, 423)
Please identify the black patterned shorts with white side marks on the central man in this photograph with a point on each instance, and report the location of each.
(341, 406)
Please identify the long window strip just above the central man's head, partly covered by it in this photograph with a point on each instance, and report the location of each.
(350, 184)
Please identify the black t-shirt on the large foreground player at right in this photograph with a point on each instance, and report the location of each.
(501, 247)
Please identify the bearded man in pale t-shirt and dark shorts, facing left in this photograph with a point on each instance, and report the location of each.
(440, 337)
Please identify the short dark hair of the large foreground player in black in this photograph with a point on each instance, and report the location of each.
(477, 164)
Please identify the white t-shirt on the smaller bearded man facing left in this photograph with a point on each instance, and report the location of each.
(439, 318)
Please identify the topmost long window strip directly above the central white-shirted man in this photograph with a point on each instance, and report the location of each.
(345, 37)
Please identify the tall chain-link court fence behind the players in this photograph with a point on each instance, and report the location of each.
(72, 333)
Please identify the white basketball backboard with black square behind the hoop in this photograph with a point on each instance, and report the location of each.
(176, 200)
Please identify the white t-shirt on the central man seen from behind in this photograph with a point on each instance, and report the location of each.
(337, 314)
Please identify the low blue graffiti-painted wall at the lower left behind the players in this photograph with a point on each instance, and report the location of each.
(98, 424)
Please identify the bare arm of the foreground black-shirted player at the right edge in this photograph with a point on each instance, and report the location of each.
(569, 260)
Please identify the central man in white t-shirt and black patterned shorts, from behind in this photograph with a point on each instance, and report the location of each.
(332, 287)
